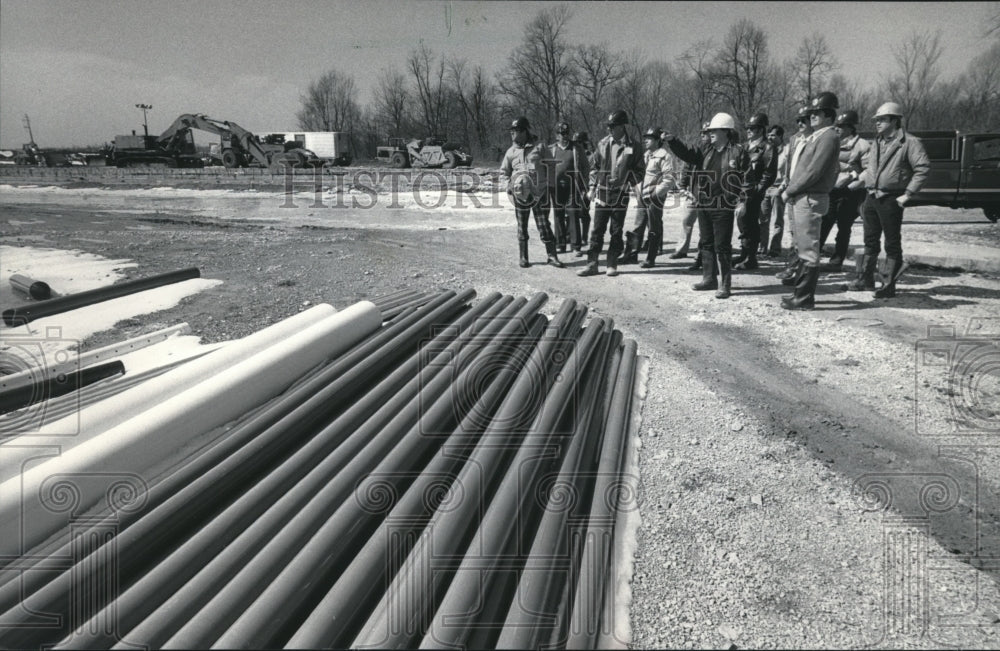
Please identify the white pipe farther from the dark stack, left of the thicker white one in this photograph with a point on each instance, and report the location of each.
(77, 428)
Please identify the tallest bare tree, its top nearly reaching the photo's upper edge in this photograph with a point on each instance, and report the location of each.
(539, 70)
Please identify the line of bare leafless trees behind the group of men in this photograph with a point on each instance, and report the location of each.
(548, 78)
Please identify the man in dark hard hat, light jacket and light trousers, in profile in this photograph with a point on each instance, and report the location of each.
(814, 170)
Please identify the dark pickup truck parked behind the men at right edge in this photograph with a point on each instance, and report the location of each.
(965, 171)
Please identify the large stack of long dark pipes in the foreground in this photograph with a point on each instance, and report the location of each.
(453, 479)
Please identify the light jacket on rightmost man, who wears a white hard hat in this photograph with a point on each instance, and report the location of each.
(897, 166)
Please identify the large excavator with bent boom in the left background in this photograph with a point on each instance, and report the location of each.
(239, 147)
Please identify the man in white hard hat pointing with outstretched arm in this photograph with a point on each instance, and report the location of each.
(718, 171)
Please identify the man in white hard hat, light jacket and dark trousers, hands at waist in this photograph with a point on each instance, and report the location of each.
(896, 169)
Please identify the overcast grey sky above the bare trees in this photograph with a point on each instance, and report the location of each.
(78, 67)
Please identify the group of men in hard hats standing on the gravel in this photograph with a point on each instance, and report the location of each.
(827, 175)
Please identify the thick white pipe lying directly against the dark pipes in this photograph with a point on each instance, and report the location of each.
(118, 465)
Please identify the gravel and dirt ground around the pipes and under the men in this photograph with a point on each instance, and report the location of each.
(766, 435)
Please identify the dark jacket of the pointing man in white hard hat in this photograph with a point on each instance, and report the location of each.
(710, 190)
